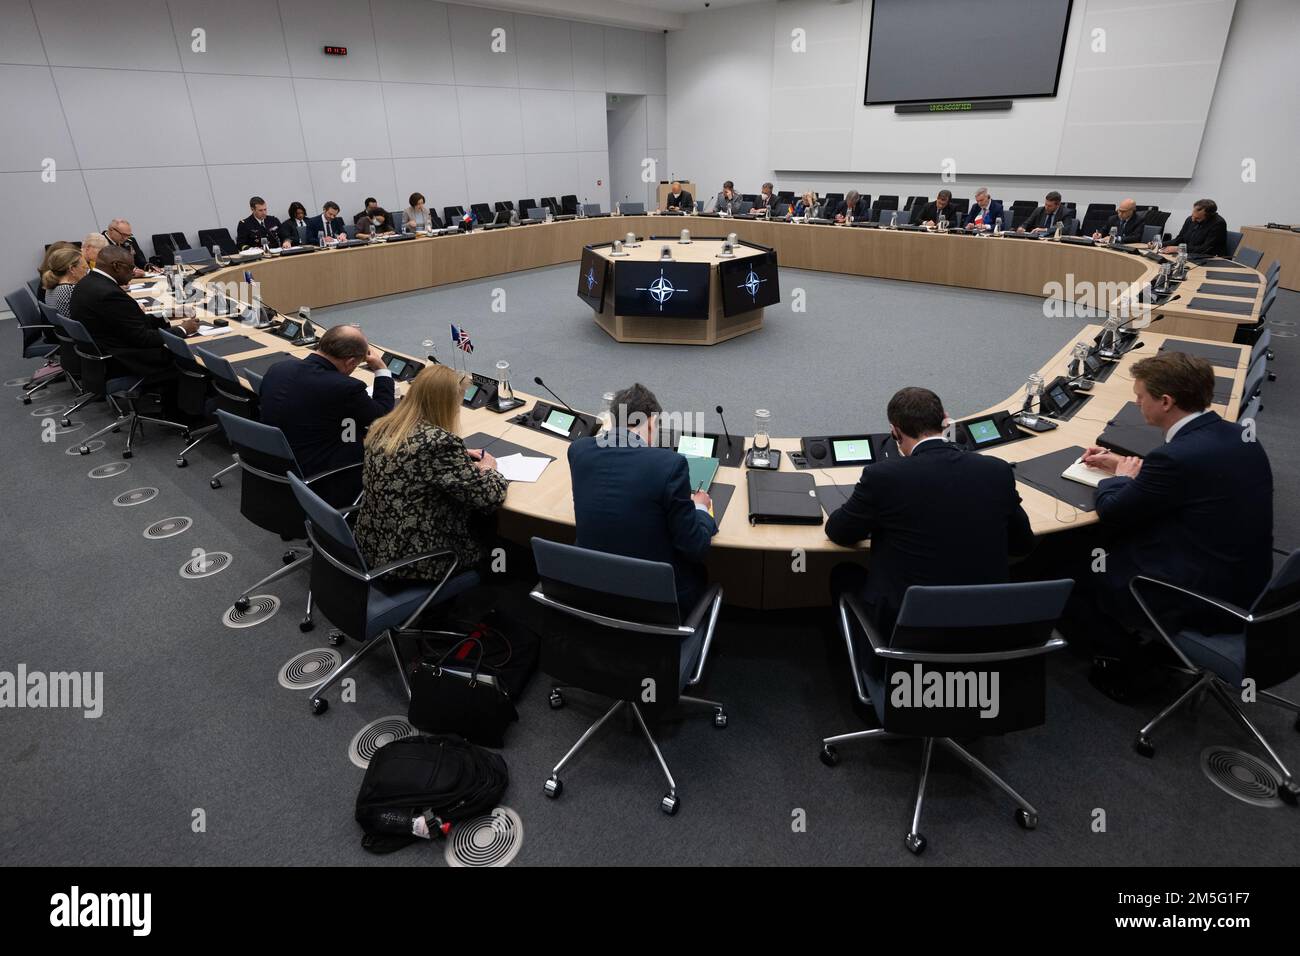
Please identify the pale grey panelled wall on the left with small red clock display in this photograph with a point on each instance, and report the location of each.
(141, 126)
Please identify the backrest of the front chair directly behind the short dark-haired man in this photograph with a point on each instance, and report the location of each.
(972, 657)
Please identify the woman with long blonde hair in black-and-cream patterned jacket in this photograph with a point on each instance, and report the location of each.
(422, 486)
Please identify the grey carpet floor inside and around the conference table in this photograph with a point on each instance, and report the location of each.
(194, 717)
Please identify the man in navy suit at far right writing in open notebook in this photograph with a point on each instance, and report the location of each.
(1197, 513)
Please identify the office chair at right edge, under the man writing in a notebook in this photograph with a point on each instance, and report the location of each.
(1223, 647)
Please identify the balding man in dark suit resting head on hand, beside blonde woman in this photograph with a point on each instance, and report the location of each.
(324, 412)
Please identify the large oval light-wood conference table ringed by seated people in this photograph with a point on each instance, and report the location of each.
(770, 566)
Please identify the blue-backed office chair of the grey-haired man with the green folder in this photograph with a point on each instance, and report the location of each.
(617, 625)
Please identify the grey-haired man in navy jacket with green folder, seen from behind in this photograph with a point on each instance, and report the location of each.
(632, 498)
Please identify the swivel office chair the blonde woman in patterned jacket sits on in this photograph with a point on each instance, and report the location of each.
(367, 604)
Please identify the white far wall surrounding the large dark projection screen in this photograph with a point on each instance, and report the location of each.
(1253, 115)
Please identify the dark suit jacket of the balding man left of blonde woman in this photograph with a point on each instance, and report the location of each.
(310, 401)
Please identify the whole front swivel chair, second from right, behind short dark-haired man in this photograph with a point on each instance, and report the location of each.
(963, 634)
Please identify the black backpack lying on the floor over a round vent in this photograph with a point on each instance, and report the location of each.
(426, 785)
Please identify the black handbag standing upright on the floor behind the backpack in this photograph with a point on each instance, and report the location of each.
(454, 695)
